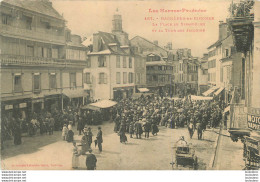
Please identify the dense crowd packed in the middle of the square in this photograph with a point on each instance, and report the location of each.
(144, 114)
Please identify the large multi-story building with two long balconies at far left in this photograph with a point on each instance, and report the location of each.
(34, 70)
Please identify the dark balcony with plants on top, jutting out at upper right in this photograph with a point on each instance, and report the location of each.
(240, 23)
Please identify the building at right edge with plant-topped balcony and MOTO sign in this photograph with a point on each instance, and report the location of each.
(245, 104)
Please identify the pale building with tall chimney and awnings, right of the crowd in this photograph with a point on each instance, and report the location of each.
(223, 71)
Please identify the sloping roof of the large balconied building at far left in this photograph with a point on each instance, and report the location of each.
(43, 7)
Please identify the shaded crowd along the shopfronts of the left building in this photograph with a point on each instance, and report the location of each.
(45, 122)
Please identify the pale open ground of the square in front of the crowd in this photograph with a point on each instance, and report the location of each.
(50, 152)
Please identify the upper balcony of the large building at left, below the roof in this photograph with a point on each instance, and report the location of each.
(44, 36)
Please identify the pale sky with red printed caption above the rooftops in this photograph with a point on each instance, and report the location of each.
(87, 17)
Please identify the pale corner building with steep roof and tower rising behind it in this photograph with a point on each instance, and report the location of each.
(111, 64)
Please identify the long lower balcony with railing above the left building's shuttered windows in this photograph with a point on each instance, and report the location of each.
(17, 60)
